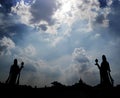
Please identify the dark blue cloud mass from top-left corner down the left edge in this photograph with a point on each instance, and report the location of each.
(9, 23)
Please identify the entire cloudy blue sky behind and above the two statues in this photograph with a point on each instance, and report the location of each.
(59, 40)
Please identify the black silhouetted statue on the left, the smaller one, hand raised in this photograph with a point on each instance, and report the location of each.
(14, 74)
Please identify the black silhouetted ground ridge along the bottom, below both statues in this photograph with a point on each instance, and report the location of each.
(78, 90)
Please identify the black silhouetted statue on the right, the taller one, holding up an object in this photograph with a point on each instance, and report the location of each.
(105, 76)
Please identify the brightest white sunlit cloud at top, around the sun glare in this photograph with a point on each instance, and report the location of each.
(73, 10)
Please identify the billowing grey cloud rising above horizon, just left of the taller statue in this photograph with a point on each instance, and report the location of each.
(79, 67)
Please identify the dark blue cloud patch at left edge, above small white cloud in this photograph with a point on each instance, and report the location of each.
(16, 31)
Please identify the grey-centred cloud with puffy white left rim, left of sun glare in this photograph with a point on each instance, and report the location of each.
(35, 12)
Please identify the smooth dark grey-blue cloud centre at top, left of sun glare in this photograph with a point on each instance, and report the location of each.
(43, 10)
